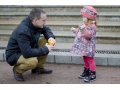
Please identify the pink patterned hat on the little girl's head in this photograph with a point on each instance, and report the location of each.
(89, 12)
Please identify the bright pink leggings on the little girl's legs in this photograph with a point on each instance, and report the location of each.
(89, 63)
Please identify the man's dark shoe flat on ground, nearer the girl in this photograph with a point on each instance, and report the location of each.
(41, 71)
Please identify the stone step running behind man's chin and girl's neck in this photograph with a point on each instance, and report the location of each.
(63, 25)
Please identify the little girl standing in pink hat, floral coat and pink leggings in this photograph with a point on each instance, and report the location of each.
(84, 43)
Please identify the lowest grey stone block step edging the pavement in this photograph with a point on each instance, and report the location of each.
(68, 58)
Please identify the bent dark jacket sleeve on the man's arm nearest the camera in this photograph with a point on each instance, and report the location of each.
(23, 40)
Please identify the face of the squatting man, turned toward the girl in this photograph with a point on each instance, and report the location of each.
(40, 22)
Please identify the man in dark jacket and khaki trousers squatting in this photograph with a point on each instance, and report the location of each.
(26, 49)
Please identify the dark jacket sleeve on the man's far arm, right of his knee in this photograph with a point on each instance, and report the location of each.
(47, 32)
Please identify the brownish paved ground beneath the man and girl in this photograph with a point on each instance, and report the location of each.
(62, 74)
